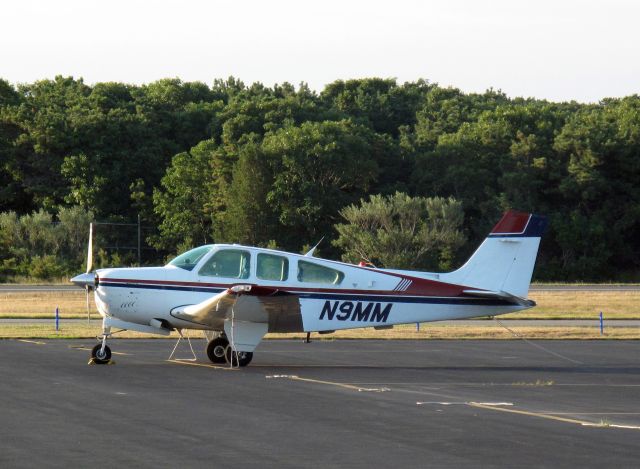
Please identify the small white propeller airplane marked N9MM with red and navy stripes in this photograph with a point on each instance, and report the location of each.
(236, 294)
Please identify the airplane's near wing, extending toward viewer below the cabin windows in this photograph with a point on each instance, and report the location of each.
(246, 303)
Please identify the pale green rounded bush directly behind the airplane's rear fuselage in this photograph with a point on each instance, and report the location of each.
(402, 232)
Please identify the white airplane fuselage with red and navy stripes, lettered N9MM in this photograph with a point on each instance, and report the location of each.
(333, 295)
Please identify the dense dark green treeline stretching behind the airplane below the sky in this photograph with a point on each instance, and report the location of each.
(276, 166)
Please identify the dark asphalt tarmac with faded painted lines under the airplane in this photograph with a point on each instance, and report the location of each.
(327, 403)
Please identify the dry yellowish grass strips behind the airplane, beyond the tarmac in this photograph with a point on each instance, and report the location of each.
(551, 305)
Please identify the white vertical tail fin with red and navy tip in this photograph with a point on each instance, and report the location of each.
(504, 261)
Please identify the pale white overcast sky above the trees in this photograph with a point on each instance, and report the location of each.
(558, 50)
